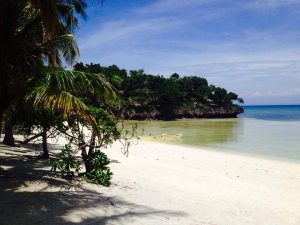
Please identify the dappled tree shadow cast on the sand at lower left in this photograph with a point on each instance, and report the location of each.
(31, 195)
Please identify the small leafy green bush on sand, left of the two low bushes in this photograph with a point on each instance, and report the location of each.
(66, 163)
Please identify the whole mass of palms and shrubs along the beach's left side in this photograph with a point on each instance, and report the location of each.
(37, 95)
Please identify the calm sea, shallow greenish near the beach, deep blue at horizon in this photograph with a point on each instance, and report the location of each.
(271, 131)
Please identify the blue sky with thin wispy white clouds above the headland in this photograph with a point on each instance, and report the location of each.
(251, 47)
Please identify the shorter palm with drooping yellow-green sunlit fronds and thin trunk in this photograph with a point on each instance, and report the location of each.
(60, 91)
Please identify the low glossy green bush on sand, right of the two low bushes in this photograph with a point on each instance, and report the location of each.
(100, 172)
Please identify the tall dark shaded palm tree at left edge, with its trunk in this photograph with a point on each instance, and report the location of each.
(24, 50)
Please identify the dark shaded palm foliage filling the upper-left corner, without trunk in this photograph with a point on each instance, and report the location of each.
(31, 45)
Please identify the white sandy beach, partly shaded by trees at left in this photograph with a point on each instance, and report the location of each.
(156, 184)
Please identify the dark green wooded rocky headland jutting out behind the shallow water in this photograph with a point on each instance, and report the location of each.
(156, 97)
